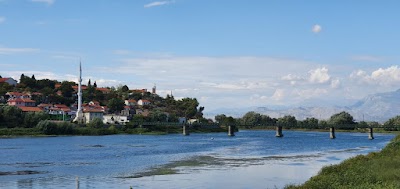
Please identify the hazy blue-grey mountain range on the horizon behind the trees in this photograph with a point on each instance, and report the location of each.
(376, 107)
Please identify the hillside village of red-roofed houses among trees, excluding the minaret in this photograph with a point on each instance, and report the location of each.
(111, 105)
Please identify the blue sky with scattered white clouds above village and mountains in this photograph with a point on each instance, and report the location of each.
(225, 53)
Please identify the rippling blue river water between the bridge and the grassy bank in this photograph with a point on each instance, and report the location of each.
(251, 159)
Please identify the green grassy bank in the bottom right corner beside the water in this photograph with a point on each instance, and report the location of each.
(375, 170)
